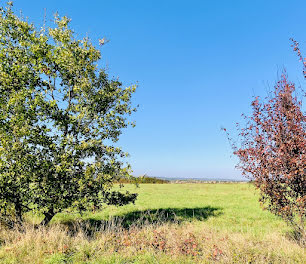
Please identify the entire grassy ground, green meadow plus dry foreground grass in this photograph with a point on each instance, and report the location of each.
(169, 223)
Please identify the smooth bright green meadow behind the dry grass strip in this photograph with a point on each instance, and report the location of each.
(229, 206)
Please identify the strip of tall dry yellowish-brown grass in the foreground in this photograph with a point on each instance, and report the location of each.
(150, 243)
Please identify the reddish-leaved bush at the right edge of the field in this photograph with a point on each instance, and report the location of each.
(272, 153)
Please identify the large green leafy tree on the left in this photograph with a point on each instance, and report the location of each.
(60, 116)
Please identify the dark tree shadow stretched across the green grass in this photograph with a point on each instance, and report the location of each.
(142, 218)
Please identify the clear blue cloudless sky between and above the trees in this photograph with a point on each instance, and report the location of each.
(197, 64)
